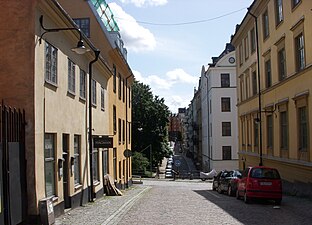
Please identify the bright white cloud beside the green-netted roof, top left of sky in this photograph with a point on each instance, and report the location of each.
(135, 37)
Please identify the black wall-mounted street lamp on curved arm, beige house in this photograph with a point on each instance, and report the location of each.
(79, 49)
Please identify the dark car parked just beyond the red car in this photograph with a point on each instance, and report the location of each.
(227, 182)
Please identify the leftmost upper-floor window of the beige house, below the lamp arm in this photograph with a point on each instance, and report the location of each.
(50, 64)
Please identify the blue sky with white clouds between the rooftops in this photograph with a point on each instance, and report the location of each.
(168, 41)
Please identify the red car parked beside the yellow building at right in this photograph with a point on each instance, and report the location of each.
(260, 183)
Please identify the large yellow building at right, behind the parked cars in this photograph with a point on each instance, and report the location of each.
(275, 124)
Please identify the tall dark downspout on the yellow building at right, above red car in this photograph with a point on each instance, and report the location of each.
(259, 119)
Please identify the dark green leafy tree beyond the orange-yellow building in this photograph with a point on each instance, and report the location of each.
(149, 123)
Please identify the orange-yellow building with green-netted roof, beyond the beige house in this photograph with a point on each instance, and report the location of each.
(96, 20)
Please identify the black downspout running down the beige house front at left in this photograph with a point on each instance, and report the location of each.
(97, 53)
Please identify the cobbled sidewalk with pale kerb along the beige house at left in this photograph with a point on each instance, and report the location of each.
(106, 211)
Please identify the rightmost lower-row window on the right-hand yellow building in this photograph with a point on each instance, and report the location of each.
(303, 128)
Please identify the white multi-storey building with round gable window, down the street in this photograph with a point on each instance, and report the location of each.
(219, 114)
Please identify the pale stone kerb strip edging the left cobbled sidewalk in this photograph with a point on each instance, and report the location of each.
(117, 216)
